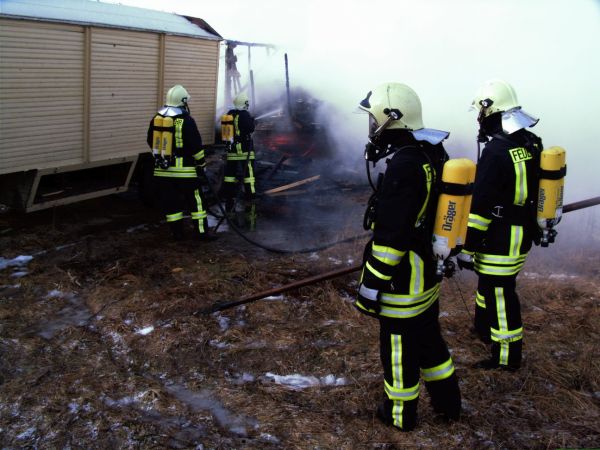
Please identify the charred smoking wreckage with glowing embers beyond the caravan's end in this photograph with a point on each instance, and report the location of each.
(291, 141)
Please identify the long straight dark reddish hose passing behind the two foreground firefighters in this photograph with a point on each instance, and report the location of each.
(338, 273)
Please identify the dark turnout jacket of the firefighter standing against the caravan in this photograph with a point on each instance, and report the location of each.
(188, 153)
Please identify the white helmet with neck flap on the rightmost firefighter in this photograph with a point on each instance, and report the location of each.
(497, 96)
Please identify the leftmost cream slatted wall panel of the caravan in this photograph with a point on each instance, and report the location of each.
(41, 79)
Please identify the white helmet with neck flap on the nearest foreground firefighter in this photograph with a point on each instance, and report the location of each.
(402, 103)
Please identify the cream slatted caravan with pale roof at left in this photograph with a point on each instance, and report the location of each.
(79, 83)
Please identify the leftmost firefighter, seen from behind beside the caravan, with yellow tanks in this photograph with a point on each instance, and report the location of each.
(179, 170)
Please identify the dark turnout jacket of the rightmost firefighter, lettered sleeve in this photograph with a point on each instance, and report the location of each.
(502, 221)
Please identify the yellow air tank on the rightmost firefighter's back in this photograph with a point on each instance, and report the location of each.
(550, 195)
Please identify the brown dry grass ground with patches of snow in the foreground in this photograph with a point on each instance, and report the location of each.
(80, 366)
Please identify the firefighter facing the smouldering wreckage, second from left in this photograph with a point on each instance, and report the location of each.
(240, 157)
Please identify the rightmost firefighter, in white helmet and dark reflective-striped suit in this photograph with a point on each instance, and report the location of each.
(502, 221)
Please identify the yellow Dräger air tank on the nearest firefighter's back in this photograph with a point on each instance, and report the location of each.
(451, 219)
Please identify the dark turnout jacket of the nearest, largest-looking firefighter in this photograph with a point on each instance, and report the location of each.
(399, 273)
